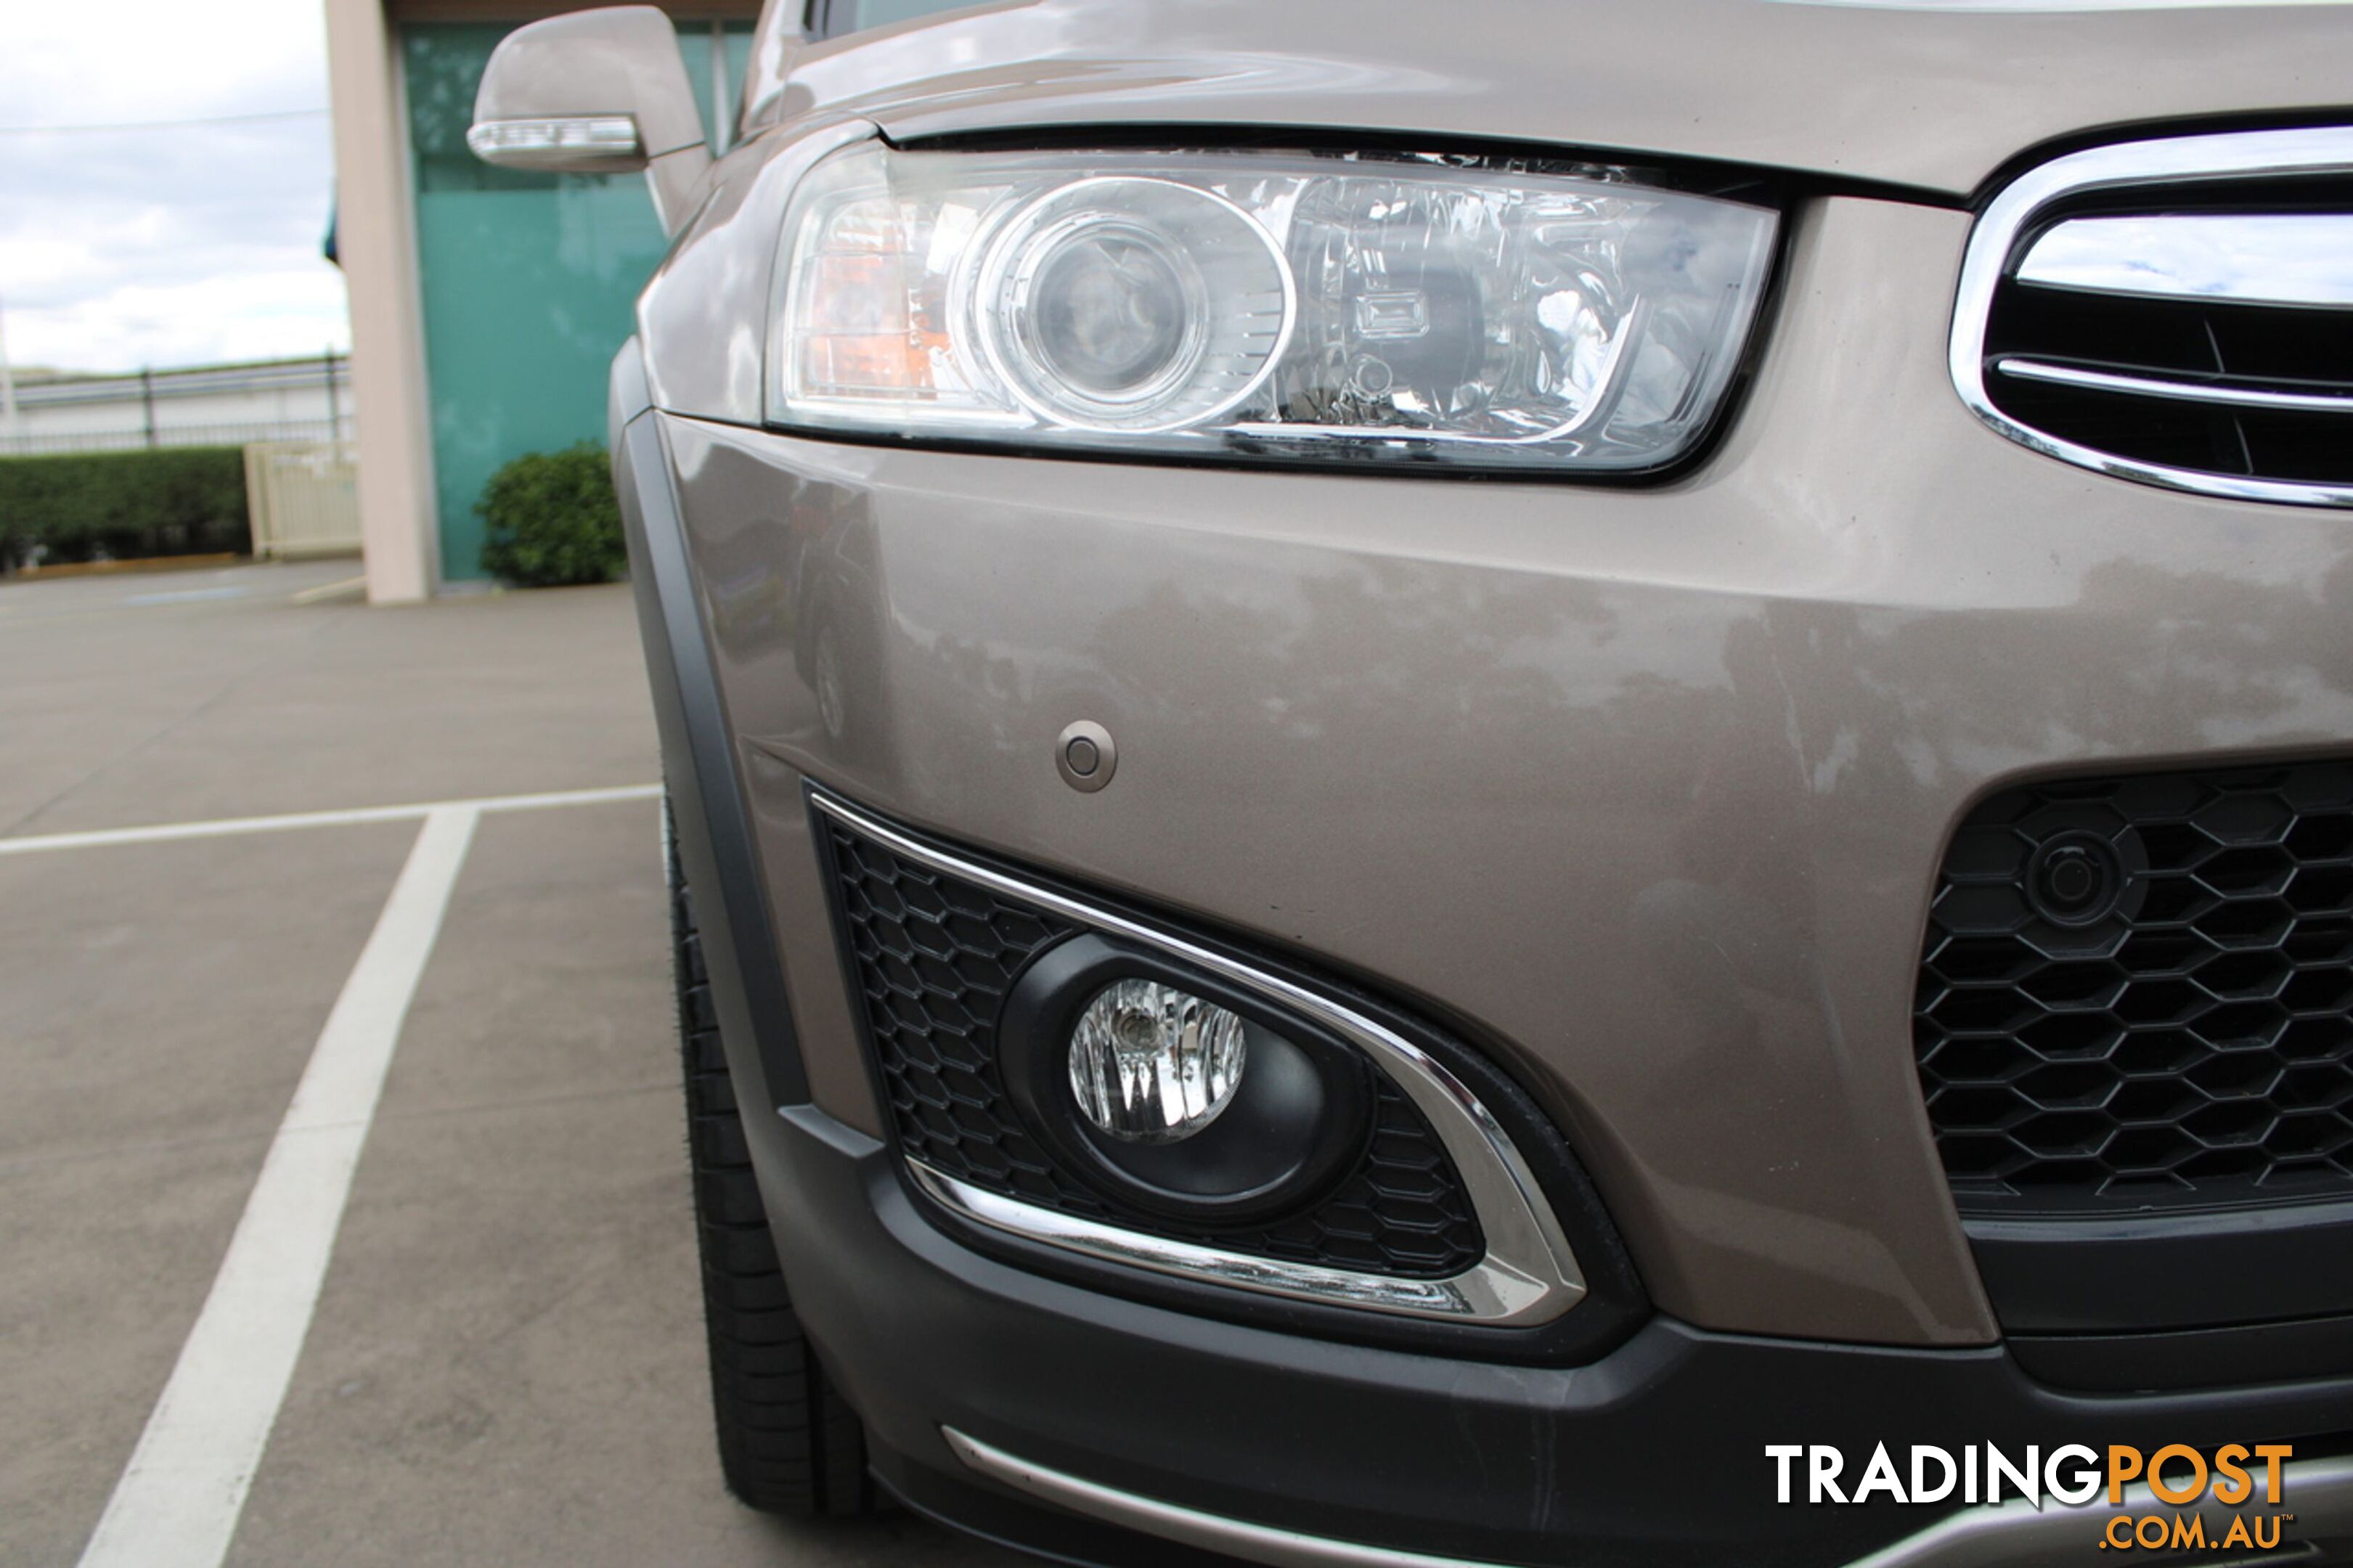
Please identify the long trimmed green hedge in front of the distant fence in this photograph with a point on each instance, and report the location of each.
(124, 505)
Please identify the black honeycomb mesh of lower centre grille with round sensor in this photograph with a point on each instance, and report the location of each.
(2135, 992)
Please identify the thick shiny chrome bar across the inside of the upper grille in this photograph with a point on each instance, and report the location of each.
(2241, 258)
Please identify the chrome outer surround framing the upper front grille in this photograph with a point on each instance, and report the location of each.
(2133, 164)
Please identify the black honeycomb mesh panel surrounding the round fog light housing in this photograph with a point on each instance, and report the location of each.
(935, 957)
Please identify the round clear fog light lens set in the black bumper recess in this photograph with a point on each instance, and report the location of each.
(1154, 1065)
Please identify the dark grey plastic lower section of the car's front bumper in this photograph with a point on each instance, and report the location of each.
(1653, 1456)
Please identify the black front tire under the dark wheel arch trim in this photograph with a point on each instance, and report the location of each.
(789, 1444)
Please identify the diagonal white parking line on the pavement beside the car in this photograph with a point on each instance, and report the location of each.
(180, 1499)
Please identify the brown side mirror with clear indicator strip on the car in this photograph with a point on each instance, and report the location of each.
(596, 93)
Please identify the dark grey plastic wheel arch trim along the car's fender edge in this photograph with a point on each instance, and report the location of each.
(698, 759)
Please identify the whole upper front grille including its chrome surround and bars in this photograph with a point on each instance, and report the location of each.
(2175, 312)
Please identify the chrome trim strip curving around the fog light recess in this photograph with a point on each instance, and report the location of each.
(1528, 1275)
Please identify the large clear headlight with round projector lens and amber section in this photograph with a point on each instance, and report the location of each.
(1251, 305)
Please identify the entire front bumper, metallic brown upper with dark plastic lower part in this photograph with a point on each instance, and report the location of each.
(1644, 790)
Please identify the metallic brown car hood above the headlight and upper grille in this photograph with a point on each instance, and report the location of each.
(1931, 95)
